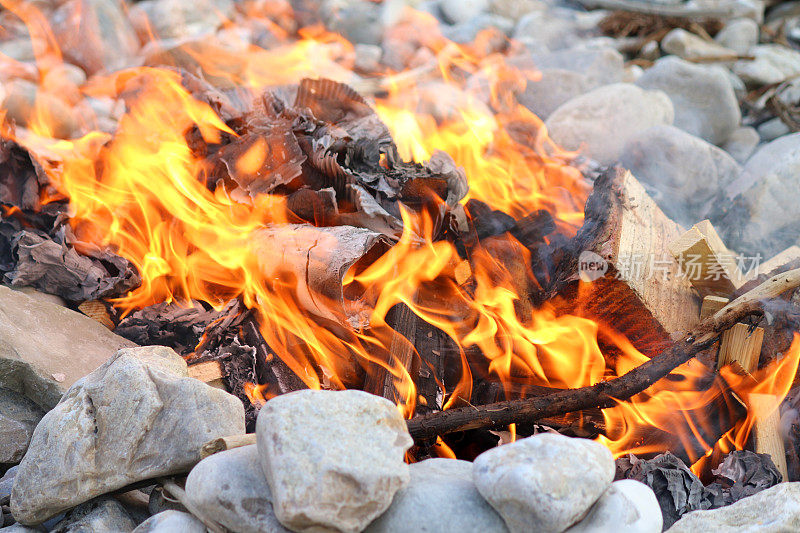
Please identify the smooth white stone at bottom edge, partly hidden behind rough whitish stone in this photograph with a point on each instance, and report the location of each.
(627, 506)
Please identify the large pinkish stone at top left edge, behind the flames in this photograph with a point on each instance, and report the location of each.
(95, 34)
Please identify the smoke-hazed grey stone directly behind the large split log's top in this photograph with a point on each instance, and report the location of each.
(681, 172)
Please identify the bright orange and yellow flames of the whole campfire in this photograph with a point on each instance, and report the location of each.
(143, 192)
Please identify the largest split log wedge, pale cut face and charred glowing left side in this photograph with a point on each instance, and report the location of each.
(641, 295)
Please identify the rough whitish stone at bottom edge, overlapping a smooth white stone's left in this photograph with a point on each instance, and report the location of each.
(543, 483)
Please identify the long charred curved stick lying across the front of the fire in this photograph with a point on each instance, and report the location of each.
(606, 393)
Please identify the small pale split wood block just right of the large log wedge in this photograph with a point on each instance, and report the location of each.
(706, 262)
